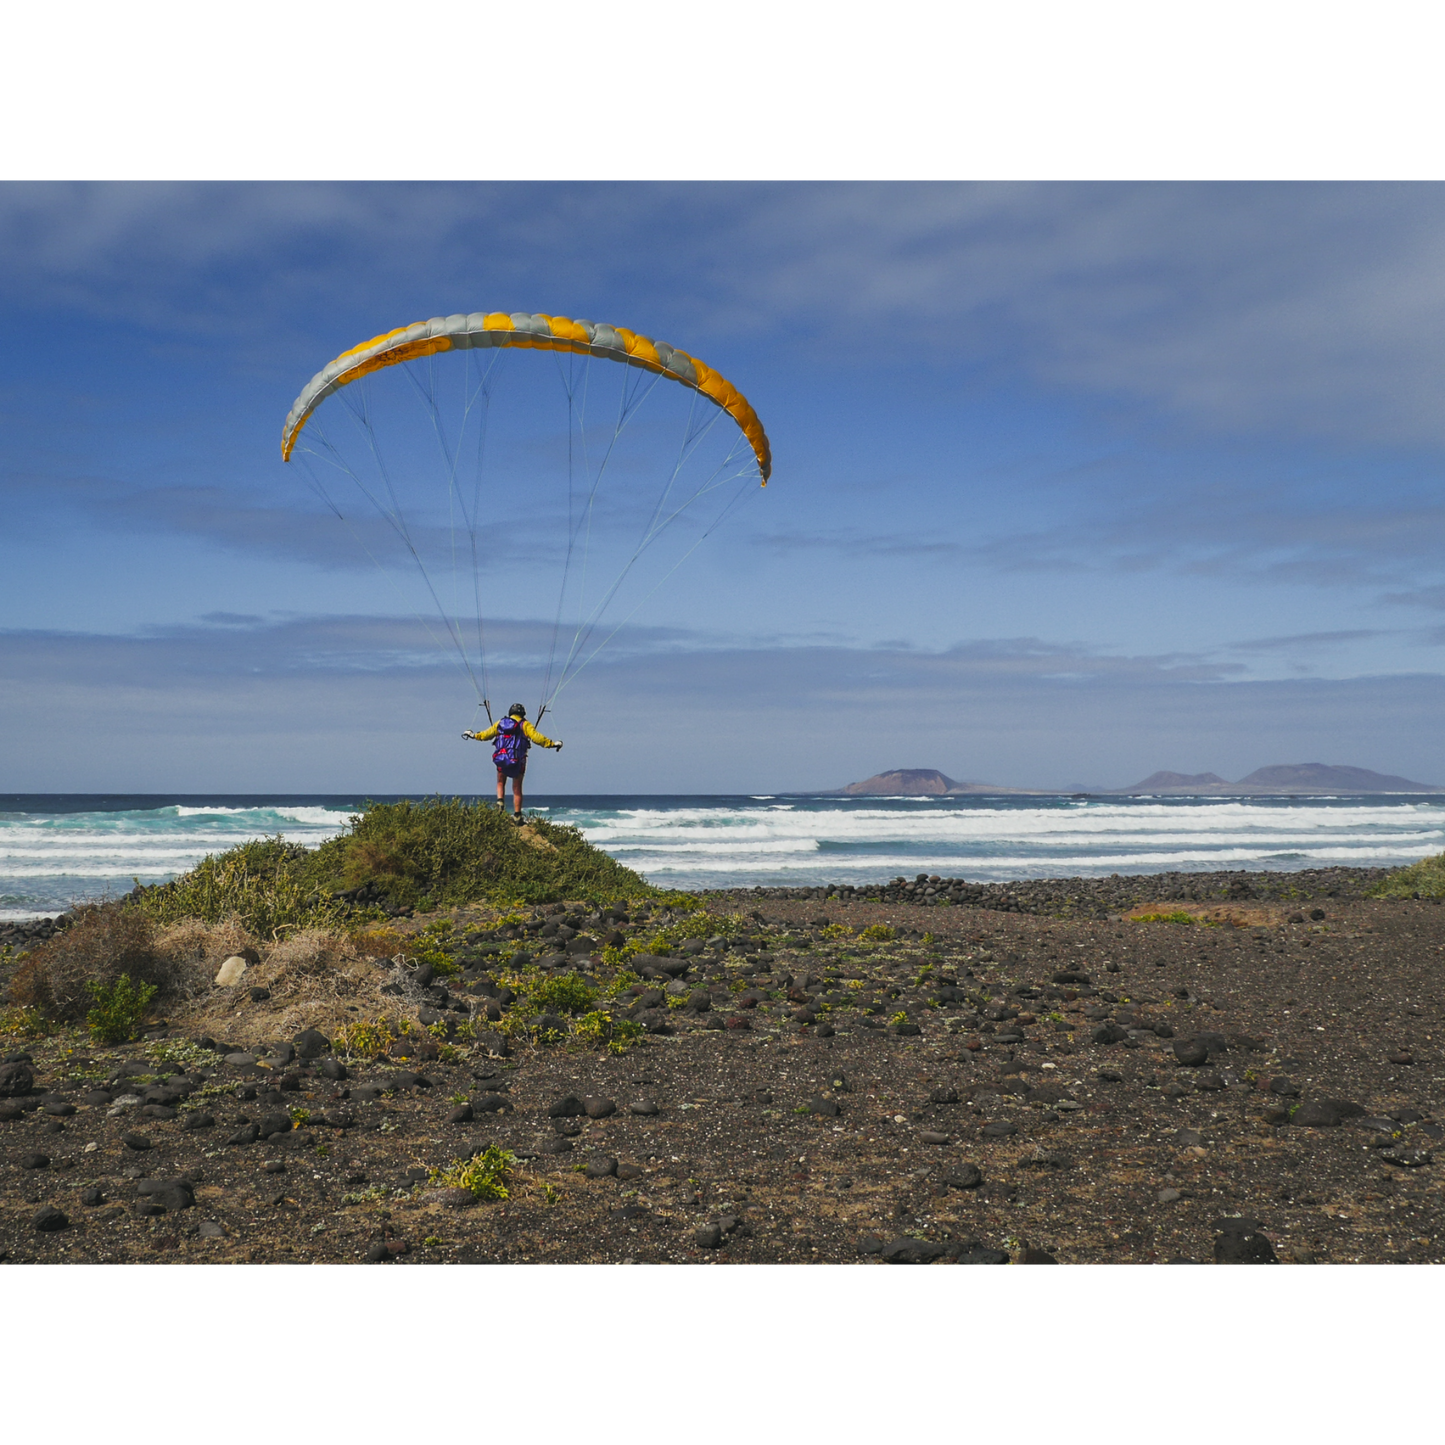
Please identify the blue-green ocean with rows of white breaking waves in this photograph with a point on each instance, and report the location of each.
(61, 849)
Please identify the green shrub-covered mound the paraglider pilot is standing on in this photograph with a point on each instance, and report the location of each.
(408, 855)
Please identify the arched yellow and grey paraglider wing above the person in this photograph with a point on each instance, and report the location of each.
(538, 332)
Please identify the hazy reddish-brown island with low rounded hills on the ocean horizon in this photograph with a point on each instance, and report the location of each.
(1282, 778)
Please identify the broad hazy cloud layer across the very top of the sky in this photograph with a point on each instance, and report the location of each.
(1307, 309)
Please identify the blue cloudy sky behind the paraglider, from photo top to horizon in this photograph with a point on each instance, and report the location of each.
(1074, 480)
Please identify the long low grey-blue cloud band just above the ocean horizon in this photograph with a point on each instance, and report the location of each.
(320, 704)
